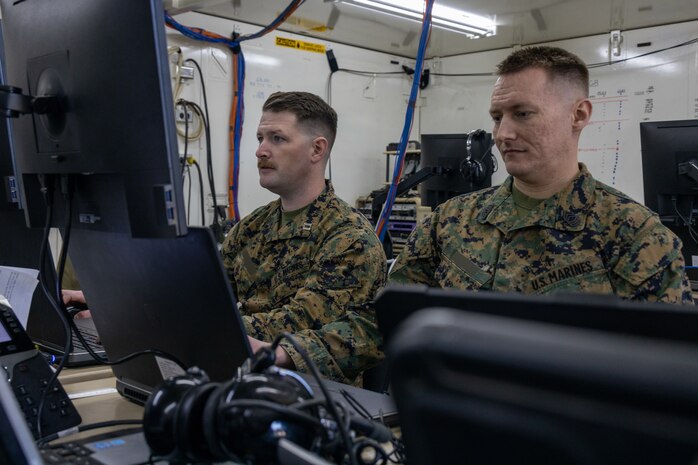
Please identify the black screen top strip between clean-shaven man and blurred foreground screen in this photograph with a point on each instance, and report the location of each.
(599, 312)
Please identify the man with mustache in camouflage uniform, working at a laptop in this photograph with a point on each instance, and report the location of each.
(307, 263)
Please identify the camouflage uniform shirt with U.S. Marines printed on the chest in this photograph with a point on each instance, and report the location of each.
(587, 238)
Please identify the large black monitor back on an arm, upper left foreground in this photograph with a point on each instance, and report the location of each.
(100, 70)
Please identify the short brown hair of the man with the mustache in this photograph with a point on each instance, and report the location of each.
(310, 110)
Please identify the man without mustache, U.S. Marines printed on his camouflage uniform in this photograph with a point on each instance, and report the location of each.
(550, 227)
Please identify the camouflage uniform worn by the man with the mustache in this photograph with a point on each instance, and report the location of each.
(315, 278)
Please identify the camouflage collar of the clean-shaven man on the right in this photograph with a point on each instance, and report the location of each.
(565, 210)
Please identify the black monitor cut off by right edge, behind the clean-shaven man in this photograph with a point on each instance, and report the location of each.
(670, 179)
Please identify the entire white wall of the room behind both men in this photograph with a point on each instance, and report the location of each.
(372, 109)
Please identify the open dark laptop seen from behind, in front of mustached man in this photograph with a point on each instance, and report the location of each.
(172, 294)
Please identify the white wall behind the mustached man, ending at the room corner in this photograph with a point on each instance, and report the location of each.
(371, 110)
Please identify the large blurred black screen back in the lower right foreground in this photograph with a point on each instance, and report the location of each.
(475, 388)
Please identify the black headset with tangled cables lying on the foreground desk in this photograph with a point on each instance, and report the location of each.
(190, 419)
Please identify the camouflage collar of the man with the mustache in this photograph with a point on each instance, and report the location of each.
(303, 225)
